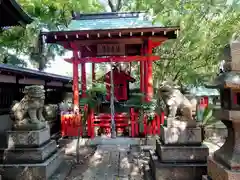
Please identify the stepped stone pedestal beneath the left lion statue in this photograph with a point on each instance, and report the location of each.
(30, 155)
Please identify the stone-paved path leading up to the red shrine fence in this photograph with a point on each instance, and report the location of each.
(111, 162)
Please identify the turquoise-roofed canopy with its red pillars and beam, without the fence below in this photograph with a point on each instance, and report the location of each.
(131, 40)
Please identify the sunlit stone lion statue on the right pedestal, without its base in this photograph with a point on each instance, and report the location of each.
(176, 102)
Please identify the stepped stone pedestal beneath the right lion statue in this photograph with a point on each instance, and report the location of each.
(179, 155)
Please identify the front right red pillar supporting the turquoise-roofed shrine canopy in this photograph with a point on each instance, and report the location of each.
(148, 76)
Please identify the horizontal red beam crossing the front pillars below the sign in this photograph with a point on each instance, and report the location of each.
(114, 59)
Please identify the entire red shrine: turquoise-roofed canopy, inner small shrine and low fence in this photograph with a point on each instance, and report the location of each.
(110, 38)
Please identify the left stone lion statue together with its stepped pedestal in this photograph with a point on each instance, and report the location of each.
(31, 154)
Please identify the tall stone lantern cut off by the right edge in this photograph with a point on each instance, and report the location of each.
(225, 163)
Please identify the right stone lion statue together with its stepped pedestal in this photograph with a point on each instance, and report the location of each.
(179, 153)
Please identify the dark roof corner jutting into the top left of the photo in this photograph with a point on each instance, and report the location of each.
(11, 14)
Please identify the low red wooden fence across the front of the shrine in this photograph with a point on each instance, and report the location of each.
(71, 123)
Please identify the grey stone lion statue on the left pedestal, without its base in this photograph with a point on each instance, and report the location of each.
(27, 114)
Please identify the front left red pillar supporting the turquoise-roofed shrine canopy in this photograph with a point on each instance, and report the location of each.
(75, 80)
